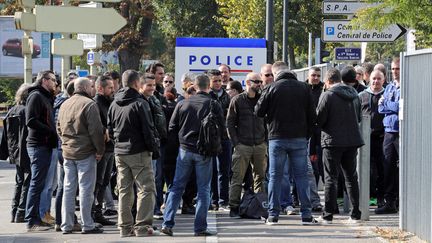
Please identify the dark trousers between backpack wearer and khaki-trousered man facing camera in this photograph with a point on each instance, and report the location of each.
(221, 175)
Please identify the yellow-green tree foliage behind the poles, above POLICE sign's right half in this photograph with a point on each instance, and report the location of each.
(246, 19)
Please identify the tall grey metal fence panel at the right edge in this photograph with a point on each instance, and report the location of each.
(415, 116)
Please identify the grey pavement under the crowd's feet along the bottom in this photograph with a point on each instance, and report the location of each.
(289, 228)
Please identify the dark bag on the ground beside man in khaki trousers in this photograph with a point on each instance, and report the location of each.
(253, 205)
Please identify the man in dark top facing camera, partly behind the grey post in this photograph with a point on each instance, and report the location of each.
(369, 102)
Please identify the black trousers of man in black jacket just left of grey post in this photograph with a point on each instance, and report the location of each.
(345, 158)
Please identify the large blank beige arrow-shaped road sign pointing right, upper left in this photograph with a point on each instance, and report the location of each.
(78, 20)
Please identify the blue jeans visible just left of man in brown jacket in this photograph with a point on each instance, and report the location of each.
(50, 185)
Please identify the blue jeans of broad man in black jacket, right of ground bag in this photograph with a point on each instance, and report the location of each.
(296, 150)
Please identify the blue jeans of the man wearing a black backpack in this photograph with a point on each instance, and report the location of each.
(188, 161)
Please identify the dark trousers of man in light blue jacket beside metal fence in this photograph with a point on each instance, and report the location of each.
(391, 167)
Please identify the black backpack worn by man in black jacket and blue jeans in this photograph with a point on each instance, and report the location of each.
(209, 139)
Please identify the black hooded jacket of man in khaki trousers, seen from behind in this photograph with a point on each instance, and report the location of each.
(130, 123)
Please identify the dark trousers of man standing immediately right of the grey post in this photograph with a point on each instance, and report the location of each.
(377, 166)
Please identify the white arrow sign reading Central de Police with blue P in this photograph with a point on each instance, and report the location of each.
(342, 31)
